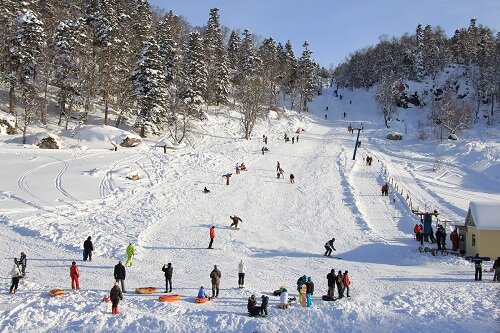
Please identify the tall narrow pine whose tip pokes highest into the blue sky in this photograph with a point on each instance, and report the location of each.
(216, 62)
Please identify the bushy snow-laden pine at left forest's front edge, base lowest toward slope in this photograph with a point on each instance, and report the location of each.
(151, 87)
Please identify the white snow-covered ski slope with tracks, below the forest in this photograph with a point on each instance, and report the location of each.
(50, 201)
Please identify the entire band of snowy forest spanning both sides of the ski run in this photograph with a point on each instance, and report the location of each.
(124, 62)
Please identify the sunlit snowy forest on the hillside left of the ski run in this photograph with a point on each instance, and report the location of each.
(141, 65)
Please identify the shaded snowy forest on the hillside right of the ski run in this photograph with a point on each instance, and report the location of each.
(473, 52)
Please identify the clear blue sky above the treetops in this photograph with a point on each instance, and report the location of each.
(334, 29)
